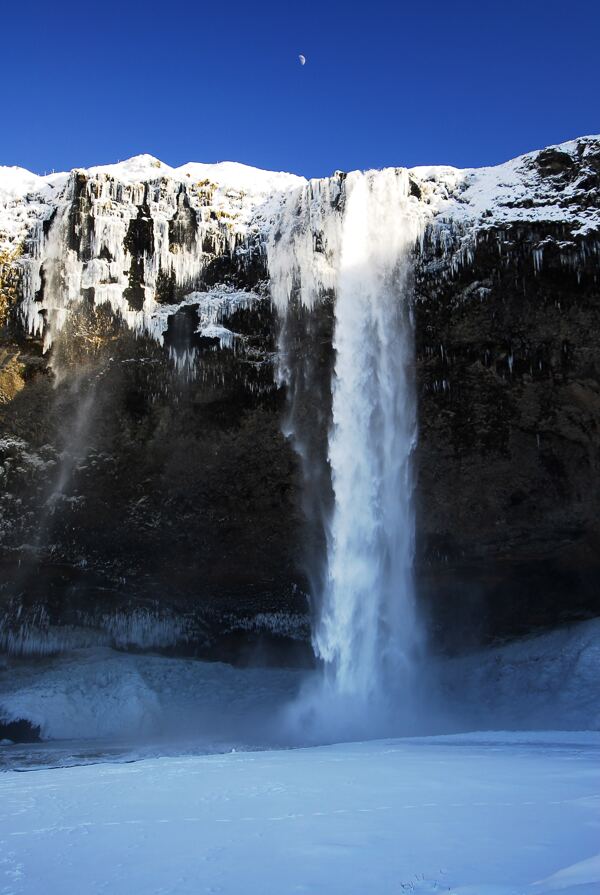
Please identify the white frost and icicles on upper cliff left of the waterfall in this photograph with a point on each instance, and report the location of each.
(216, 209)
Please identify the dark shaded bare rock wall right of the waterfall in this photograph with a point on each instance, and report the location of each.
(509, 394)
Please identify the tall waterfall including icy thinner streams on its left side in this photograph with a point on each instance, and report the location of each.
(362, 230)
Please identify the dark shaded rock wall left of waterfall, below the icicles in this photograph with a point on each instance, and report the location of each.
(183, 492)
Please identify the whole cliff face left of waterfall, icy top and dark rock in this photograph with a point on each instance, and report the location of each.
(149, 495)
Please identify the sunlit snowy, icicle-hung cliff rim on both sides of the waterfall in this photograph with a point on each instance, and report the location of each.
(143, 235)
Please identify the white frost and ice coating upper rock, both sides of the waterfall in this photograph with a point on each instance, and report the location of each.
(232, 208)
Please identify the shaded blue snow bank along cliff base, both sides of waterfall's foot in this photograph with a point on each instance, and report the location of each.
(550, 681)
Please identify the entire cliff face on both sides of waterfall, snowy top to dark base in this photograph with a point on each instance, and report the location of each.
(149, 497)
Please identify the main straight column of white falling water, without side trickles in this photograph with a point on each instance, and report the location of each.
(366, 629)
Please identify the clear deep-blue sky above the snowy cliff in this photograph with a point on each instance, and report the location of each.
(457, 82)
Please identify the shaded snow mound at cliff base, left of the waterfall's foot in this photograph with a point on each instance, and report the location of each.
(99, 693)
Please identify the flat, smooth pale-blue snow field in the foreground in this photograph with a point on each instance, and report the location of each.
(507, 815)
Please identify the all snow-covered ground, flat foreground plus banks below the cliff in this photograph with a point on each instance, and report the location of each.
(126, 794)
